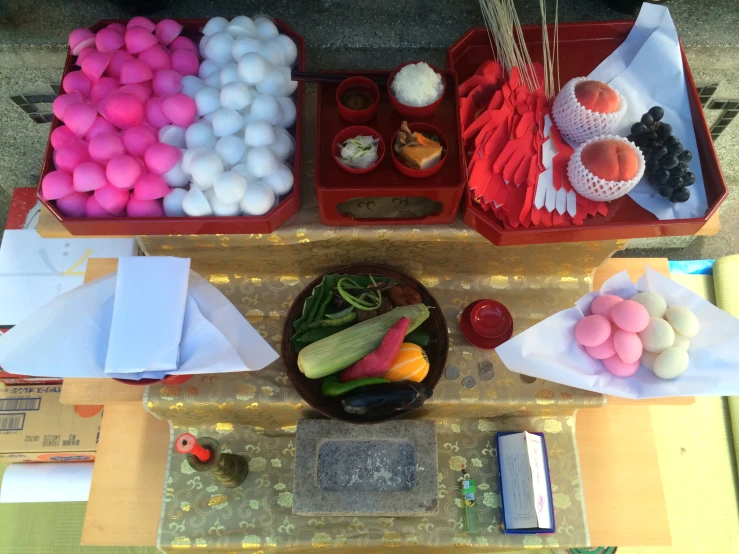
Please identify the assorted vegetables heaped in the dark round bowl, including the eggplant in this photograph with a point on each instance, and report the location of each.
(361, 334)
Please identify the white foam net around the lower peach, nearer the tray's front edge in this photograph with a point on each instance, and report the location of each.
(594, 188)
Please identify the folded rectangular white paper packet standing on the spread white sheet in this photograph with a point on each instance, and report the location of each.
(148, 314)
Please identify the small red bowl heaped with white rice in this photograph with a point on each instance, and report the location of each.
(416, 89)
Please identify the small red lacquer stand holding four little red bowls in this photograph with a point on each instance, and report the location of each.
(334, 186)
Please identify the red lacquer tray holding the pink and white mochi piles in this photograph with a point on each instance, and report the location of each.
(267, 223)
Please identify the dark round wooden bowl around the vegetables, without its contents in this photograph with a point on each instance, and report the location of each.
(310, 389)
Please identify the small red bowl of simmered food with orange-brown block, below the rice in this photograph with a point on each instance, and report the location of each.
(418, 149)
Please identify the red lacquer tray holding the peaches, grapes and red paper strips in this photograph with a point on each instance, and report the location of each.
(582, 47)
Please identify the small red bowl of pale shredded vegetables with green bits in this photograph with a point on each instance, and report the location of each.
(358, 149)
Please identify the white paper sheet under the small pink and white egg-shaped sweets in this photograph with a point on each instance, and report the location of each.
(548, 349)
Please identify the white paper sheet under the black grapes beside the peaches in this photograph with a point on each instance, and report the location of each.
(647, 69)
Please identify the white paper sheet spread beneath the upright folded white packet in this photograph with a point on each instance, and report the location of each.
(68, 337)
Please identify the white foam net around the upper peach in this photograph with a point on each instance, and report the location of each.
(577, 123)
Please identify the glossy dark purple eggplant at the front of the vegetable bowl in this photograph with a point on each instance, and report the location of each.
(387, 399)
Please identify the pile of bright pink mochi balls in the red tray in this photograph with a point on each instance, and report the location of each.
(108, 157)
